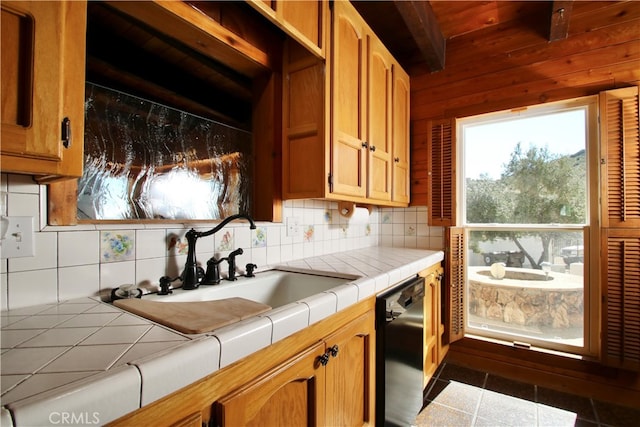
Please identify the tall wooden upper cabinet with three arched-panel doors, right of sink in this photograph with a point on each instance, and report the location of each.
(346, 119)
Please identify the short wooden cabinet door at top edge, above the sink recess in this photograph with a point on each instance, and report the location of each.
(304, 20)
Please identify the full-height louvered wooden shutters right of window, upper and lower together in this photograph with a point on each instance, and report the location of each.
(620, 215)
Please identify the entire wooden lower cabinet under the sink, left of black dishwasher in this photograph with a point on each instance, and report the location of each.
(321, 376)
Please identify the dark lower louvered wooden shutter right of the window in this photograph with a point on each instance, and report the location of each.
(621, 311)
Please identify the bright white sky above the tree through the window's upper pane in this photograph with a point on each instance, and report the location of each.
(488, 146)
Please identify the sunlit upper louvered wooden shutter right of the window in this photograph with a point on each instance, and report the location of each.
(620, 157)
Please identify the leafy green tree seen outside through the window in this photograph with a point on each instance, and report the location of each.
(535, 187)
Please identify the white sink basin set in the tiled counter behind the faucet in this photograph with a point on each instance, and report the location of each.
(272, 287)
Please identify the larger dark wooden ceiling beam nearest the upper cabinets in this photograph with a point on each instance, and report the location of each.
(425, 30)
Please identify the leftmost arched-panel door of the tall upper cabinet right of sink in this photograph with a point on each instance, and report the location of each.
(348, 102)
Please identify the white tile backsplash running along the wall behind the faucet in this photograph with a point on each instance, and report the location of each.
(68, 261)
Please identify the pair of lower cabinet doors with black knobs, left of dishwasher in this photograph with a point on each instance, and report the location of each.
(327, 384)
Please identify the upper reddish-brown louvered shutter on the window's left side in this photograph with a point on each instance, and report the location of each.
(441, 166)
